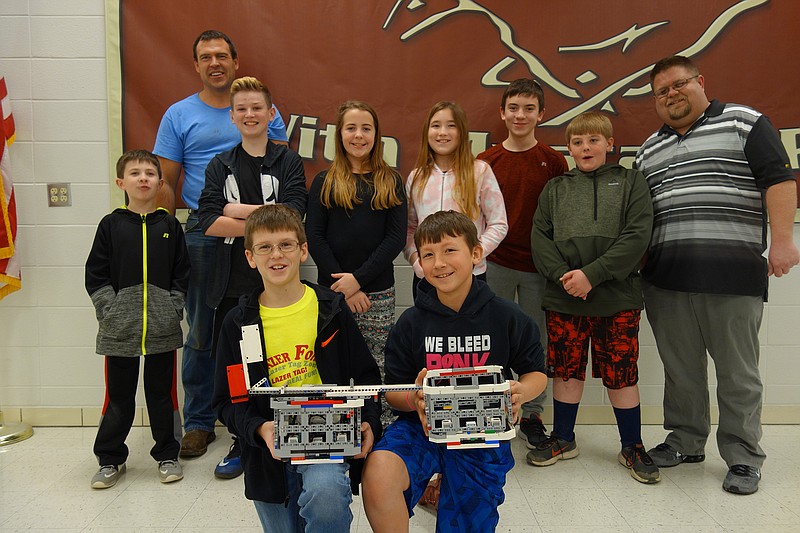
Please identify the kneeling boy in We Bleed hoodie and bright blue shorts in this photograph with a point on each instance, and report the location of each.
(450, 304)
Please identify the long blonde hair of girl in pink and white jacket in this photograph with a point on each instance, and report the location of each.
(465, 191)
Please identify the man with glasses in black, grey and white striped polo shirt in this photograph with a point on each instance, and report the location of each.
(715, 171)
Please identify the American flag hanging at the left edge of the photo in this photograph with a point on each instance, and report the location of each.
(10, 277)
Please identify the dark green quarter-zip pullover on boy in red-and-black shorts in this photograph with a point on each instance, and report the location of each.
(599, 222)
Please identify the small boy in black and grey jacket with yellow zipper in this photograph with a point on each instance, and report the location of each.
(136, 274)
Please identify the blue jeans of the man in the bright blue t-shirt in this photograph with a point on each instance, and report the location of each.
(197, 371)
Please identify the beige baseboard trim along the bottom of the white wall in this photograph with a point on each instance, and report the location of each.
(588, 414)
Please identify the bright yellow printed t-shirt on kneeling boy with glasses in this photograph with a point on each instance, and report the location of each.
(289, 335)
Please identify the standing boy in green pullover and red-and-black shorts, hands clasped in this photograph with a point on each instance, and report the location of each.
(590, 232)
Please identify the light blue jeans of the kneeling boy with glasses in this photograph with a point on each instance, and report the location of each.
(319, 501)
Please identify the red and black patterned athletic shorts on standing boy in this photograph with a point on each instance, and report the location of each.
(615, 347)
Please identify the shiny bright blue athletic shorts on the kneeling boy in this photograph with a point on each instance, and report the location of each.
(472, 481)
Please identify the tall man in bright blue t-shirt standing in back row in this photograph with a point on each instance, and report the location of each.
(193, 131)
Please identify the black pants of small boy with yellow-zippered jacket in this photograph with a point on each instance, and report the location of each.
(160, 390)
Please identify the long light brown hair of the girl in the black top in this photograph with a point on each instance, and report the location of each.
(340, 186)
